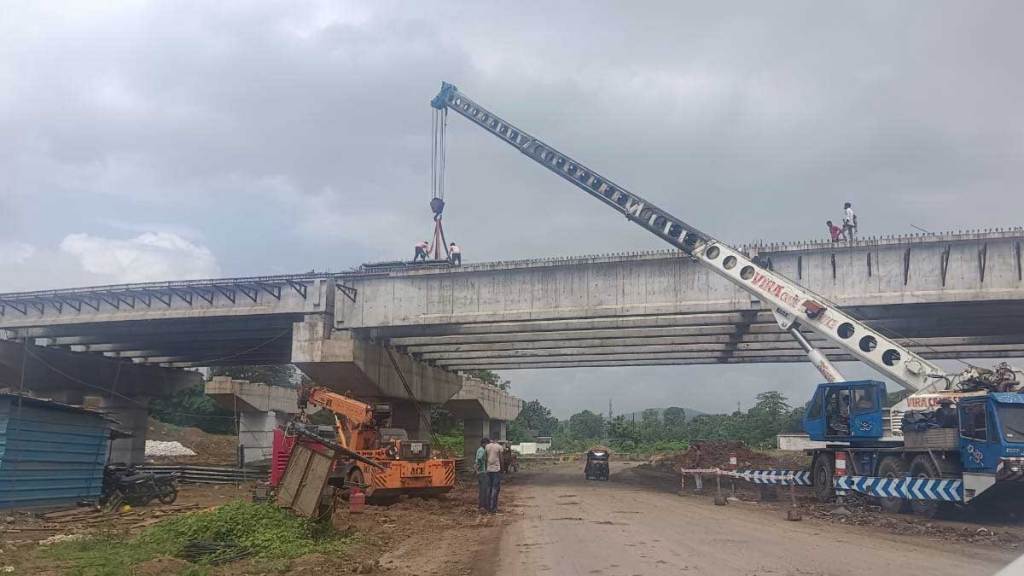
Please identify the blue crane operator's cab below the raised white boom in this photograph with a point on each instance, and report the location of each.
(846, 412)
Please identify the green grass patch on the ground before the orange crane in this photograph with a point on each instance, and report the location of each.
(266, 532)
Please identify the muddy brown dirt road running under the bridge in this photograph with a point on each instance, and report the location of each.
(564, 525)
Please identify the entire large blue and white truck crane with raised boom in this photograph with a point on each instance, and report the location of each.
(989, 446)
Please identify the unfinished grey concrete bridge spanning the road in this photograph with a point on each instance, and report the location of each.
(946, 296)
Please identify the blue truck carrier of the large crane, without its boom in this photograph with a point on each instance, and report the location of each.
(925, 471)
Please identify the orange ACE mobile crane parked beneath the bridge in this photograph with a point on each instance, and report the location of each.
(382, 461)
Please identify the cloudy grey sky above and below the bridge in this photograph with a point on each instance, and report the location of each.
(157, 141)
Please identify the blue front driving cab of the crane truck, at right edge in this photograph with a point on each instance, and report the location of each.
(992, 435)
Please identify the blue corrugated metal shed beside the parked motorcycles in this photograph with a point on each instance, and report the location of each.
(51, 454)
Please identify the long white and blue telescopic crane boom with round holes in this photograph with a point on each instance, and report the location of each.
(789, 301)
